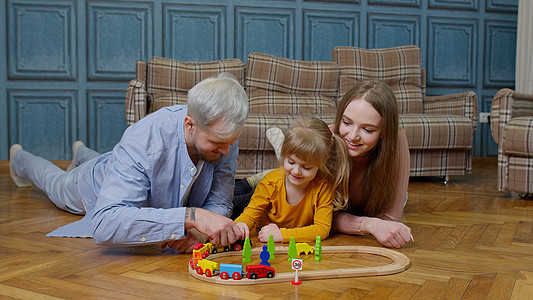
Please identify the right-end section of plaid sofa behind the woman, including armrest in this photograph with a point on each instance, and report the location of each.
(439, 129)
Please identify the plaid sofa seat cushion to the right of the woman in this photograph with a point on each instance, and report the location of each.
(437, 131)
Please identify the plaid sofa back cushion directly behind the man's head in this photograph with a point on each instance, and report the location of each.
(169, 80)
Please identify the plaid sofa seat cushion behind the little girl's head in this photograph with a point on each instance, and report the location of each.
(253, 136)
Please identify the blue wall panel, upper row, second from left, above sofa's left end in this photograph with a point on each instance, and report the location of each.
(119, 34)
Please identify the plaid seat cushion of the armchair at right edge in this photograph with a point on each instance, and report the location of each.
(518, 137)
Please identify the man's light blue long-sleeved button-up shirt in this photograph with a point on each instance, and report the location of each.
(134, 194)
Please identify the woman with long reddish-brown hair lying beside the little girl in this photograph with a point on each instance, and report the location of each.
(367, 120)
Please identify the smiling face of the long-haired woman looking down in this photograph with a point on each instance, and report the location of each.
(360, 127)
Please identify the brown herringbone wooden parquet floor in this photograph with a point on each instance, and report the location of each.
(471, 242)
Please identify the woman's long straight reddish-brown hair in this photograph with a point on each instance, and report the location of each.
(381, 176)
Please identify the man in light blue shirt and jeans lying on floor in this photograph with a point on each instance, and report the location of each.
(172, 171)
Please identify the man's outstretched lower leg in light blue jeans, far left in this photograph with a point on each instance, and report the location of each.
(59, 186)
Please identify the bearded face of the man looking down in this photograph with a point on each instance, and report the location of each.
(206, 145)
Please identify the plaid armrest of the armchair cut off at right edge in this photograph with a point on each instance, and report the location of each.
(508, 104)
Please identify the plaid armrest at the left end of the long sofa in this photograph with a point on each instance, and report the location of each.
(136, 105)
